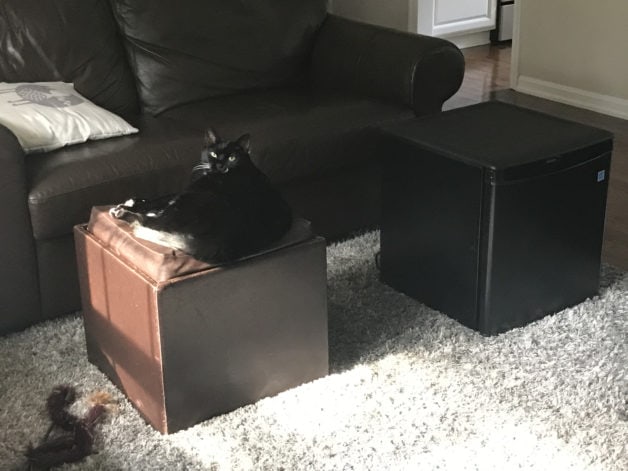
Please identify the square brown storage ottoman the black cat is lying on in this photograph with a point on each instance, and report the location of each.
(186, 341)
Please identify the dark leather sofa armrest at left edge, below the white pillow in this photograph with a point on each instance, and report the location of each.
(19, 286)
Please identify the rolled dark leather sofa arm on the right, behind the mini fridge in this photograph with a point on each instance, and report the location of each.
(418, 71)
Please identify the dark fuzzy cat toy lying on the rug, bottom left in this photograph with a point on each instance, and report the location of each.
(73, 439)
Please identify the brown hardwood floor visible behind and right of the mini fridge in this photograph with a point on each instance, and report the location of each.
(487, 77)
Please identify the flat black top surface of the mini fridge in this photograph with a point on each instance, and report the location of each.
(501, 136)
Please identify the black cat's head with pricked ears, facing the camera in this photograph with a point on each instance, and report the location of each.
(220, 156)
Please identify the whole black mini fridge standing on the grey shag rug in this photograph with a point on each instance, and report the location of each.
(493, 214)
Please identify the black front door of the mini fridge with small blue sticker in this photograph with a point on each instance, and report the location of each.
(543, 240)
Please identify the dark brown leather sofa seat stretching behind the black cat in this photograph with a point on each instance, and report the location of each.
(295, 134)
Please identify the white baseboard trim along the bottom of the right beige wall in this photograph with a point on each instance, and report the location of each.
(612, 106)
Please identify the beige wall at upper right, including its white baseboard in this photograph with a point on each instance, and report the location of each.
(574, 51)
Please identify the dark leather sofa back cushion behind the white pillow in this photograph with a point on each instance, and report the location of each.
(71, 41)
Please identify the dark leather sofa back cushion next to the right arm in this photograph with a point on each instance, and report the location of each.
(188, 50)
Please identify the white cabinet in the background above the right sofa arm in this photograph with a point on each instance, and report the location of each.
(452, 18)
